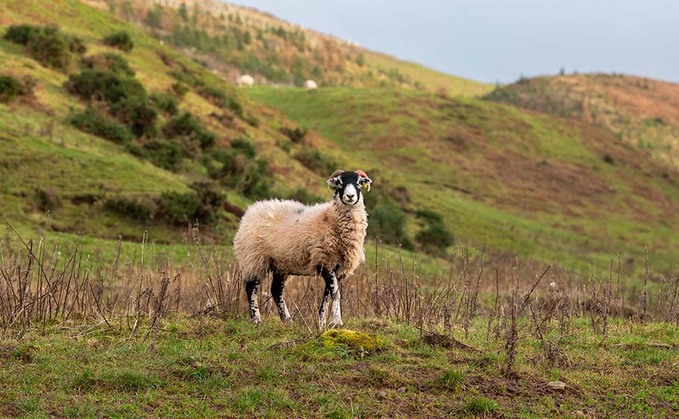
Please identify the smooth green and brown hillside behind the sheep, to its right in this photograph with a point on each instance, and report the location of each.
(503, 179)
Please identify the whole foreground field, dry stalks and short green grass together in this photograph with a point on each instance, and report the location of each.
(82, 338)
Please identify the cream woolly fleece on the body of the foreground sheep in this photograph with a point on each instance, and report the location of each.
(296, 239)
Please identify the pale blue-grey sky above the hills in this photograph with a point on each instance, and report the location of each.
(503, 40)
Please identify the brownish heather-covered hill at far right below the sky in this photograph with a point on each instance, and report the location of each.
(639, 111)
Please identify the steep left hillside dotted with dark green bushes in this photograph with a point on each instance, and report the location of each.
(84, 168)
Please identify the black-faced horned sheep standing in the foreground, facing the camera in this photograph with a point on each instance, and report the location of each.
(290, 238)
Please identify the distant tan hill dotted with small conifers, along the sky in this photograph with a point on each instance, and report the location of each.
(236, 40)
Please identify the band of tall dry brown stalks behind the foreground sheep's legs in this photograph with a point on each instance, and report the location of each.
(42, 286)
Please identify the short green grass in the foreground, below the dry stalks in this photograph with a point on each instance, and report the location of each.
(216, 368)
